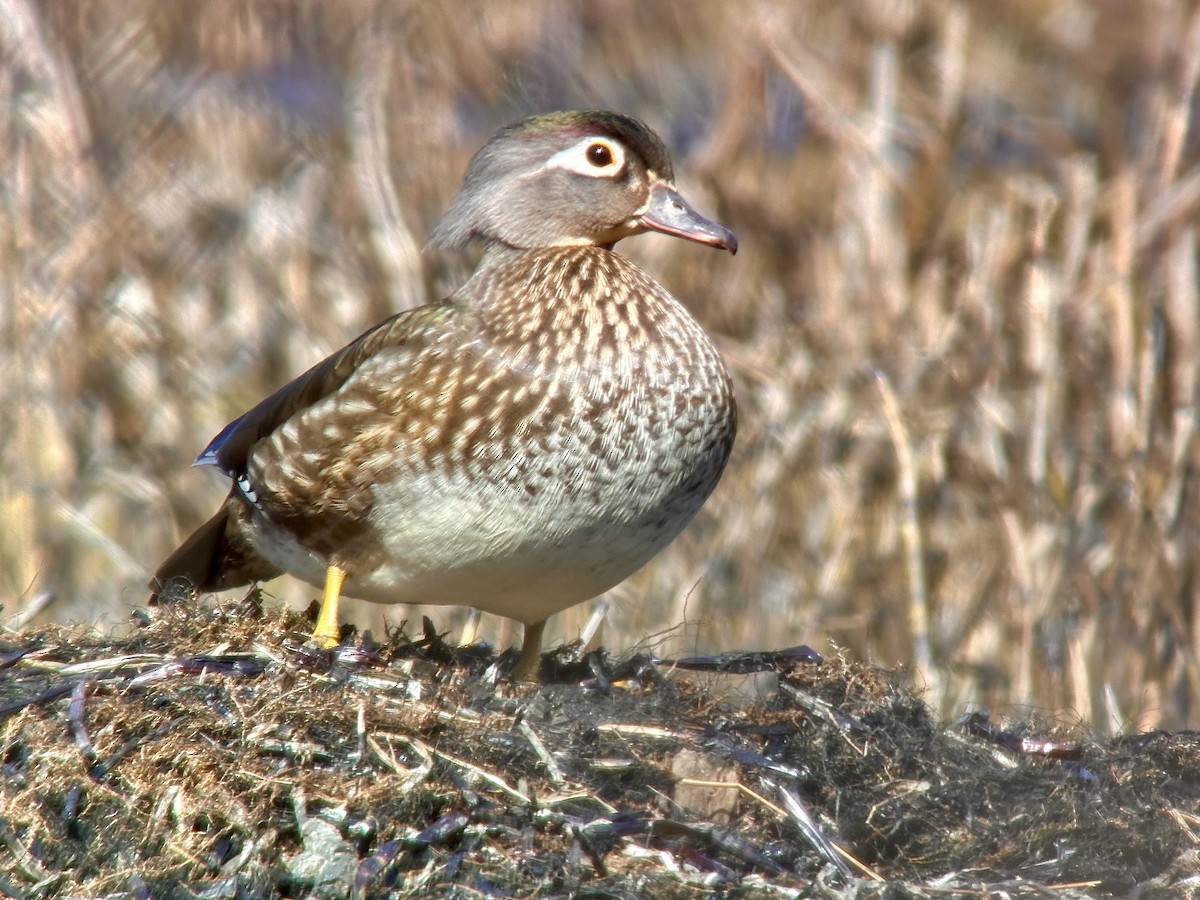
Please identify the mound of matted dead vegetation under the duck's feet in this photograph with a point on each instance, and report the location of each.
(212, 755)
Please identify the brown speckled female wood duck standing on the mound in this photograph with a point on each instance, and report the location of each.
(520, 447)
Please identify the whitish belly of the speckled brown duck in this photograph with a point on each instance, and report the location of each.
(457, 541)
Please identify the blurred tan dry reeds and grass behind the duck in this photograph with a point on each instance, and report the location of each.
(964, 323)
